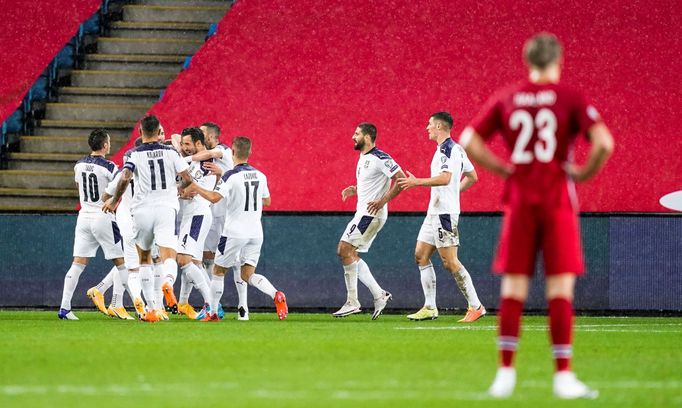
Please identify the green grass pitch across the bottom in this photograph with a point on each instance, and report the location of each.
(314, 360)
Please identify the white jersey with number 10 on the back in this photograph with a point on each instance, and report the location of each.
(93, 174)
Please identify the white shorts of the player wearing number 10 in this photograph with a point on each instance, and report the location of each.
(95, 230)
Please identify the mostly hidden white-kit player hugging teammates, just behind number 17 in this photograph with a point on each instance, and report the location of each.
(222, 155)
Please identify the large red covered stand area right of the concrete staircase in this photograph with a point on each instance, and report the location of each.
(298, 76)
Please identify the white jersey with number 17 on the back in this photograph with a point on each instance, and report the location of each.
(243, 189)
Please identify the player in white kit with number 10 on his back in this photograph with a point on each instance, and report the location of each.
(93, 228)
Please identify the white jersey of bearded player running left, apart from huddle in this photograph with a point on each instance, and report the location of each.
(374, 172)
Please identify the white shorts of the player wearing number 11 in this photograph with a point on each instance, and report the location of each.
(155, 225)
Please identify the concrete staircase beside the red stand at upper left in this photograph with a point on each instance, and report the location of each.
(135, 60)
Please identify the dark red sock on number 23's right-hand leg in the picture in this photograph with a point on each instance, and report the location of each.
(561, 332)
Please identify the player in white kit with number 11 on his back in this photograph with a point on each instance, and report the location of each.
(154, 167)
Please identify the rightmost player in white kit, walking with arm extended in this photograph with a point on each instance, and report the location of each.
(439, 229)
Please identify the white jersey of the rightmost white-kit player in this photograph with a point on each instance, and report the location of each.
(452, 158)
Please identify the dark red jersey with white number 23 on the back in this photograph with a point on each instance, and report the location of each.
(539, 124)
